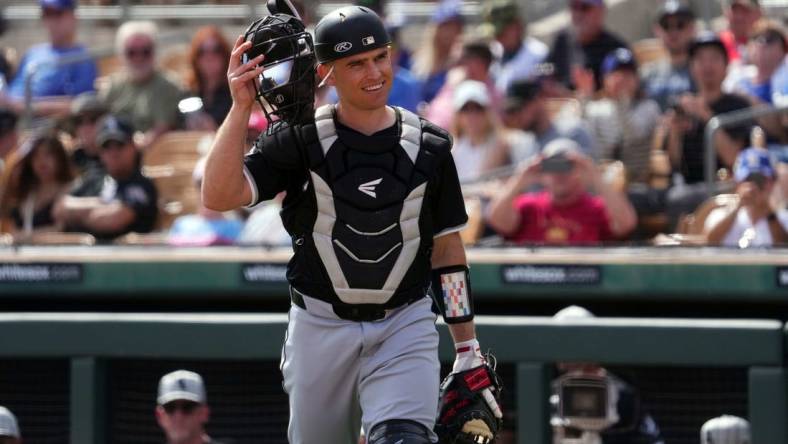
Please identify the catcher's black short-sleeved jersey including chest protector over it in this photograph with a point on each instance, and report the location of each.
(362, 210)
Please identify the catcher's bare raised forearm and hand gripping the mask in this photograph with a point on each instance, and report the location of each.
(224, 185)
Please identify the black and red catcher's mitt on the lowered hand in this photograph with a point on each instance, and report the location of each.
(464, 414)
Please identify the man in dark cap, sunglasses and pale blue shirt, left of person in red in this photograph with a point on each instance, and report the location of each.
(668, 78)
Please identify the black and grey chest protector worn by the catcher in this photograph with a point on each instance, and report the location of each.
(369, 202)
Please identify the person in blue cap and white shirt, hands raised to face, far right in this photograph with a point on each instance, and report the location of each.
(750, 221)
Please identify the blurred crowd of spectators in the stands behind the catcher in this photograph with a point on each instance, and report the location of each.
(575, 142)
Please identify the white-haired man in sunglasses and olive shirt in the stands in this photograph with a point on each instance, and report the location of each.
(141, 93)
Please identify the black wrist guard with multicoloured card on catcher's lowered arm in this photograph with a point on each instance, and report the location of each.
(451, 290)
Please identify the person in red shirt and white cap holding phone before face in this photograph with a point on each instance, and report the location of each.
(564, 213)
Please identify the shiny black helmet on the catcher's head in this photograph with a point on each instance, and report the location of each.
(349, 31)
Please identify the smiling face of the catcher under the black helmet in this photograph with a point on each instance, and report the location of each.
(364, 80)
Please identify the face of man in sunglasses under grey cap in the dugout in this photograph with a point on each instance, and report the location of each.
(182, 421)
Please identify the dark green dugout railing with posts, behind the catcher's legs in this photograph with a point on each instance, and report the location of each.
(90, 340)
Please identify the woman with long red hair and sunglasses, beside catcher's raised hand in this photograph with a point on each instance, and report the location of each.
(209, 56)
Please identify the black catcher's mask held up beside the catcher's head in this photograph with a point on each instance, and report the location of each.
(286, 87)
